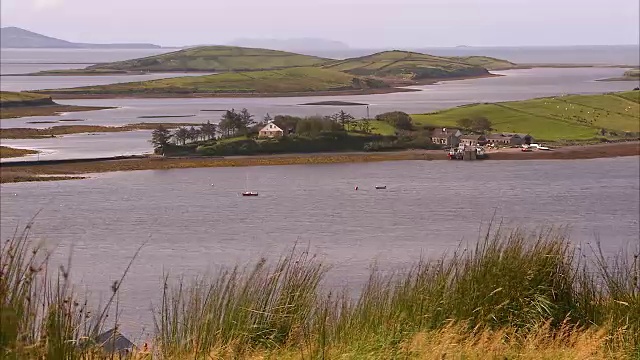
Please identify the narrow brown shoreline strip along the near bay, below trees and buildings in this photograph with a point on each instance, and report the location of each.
(11, 172)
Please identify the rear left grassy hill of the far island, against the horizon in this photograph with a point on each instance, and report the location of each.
(214, 58)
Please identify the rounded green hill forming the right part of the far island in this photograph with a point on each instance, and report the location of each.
(415, 66)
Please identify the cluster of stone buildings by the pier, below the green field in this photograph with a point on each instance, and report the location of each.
(455, 138)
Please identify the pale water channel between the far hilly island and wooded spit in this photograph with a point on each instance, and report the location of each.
(514, 85)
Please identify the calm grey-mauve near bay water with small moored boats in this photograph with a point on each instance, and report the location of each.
(192, 227)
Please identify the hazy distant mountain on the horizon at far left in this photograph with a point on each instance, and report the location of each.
(14, 37)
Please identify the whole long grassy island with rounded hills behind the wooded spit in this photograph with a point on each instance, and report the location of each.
(259, 72)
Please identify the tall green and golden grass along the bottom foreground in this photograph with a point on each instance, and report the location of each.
(513, 295)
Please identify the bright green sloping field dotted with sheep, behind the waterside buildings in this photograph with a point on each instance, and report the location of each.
(576, 117)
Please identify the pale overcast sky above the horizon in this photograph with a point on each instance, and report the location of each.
(359, 23)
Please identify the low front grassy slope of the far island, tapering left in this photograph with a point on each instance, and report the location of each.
(305, 79)
